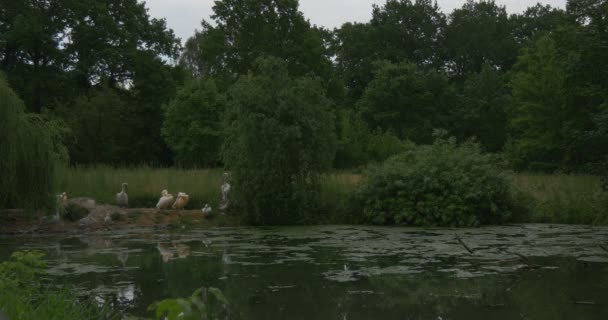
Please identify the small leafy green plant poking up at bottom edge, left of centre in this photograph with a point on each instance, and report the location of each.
(204, 303)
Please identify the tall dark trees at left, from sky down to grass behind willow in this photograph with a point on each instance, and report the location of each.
(57, 54)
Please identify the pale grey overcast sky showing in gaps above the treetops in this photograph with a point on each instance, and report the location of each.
(183, 16)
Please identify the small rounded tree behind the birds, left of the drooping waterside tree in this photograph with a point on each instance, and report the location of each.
(192, 126)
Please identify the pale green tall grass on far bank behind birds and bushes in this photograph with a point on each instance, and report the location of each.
(552, 198)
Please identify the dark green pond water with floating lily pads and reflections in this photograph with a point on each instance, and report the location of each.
(343, 272)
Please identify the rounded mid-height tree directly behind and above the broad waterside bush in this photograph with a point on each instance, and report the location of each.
(407, 100)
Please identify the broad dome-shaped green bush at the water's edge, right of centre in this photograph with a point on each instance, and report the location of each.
(443, 184)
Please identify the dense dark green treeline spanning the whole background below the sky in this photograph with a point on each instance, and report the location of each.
(120, 88)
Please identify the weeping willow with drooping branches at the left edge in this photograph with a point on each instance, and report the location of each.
(27, 157)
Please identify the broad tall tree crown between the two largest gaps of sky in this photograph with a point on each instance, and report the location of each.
(244, 30)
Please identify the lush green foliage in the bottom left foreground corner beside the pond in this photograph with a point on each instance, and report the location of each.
(24, 297)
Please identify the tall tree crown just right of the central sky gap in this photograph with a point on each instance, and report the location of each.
(401, 30)
